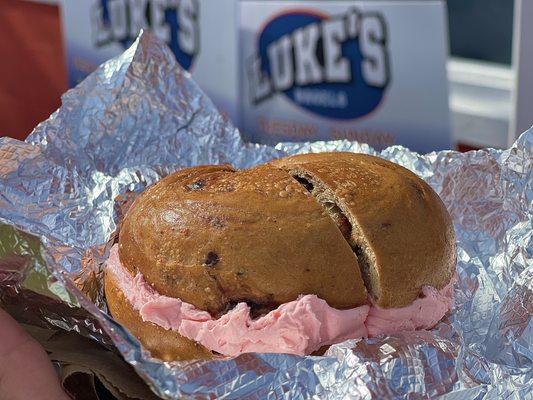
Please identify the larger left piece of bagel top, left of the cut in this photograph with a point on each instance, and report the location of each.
(212, 237)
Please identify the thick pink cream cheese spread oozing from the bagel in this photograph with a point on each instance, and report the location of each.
(298, 327)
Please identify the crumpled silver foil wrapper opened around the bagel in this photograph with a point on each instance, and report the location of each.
(140, 117)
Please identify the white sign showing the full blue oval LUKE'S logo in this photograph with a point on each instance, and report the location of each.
(361, 70)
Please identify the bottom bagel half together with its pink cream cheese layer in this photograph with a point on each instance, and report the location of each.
(172, 329)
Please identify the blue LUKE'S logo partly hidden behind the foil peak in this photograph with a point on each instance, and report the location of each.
(174, 22)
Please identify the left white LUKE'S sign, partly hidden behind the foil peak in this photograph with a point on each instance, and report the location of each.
(201, 33)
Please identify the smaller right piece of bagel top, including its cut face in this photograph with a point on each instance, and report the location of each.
(401, 232)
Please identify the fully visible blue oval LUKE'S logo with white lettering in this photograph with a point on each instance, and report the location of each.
(335, 67)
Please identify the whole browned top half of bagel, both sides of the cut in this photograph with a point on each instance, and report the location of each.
(328, 224)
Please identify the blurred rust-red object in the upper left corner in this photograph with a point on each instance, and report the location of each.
(33, 72)
